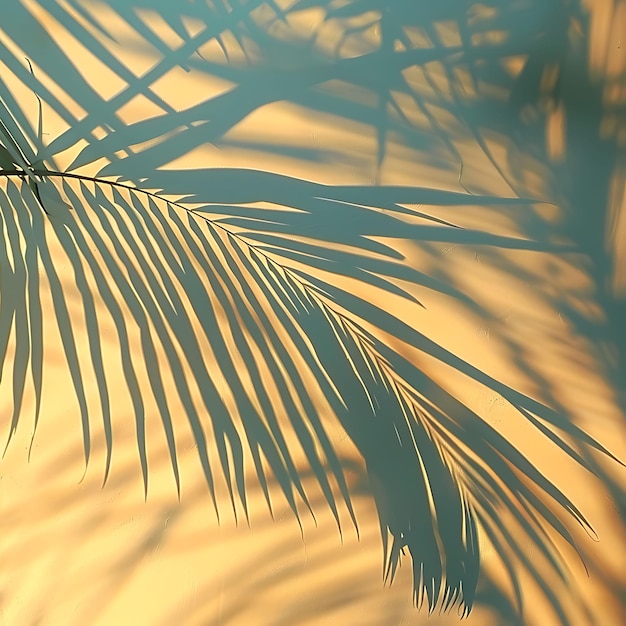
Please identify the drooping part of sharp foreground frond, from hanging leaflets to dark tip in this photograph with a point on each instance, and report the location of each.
(431, 491)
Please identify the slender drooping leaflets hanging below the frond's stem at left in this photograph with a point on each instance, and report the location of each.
(139, 254)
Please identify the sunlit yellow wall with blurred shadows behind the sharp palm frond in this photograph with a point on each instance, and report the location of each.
(73, 551)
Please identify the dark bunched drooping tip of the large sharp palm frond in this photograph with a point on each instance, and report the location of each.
(411, 441)
